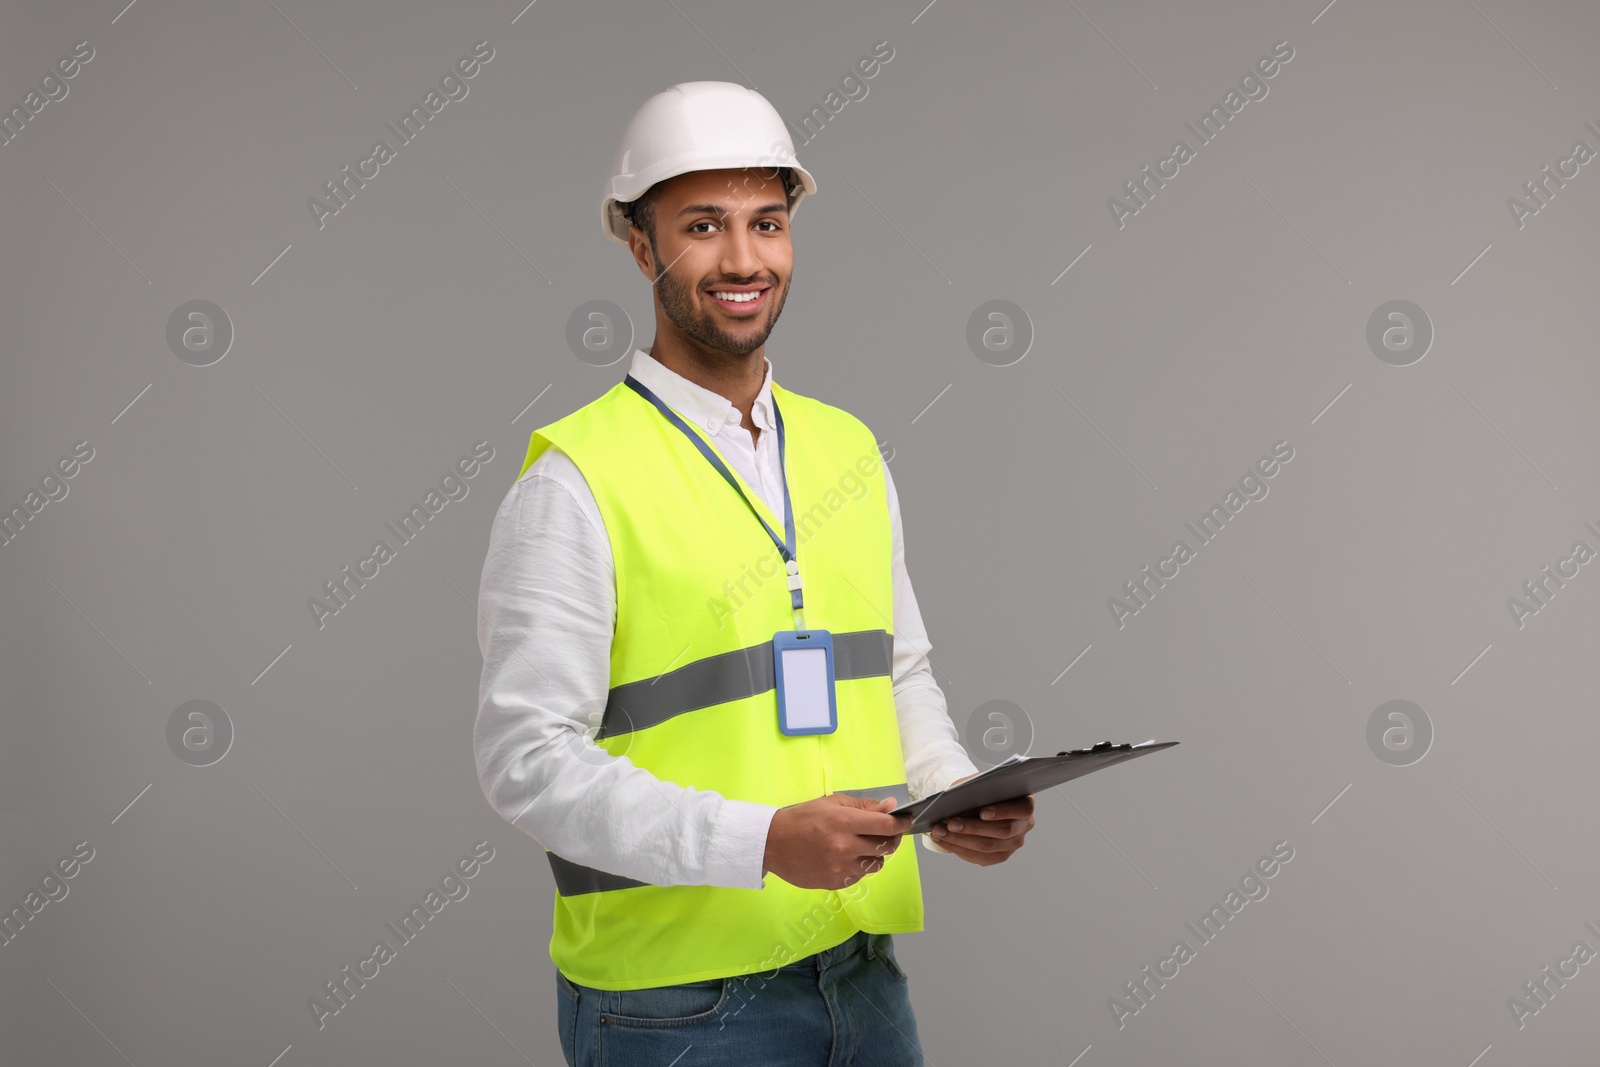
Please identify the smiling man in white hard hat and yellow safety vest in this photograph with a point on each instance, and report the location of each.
(721, 834)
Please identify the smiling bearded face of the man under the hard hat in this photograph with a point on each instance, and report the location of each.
(719, 234)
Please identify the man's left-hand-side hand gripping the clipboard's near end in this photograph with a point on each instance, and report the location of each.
(831, 842)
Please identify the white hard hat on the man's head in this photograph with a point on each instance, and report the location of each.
(697, 127)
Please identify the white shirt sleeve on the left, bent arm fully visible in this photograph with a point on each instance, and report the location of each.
(546, 618)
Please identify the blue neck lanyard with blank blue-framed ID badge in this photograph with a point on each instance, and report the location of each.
(802, 660)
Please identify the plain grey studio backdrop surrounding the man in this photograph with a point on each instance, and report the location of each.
(1222, 319)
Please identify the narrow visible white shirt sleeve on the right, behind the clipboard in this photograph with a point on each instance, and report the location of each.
(934, 751)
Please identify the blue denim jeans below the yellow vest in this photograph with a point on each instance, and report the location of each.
(844, 1007)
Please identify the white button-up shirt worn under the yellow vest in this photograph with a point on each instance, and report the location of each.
(546, 620)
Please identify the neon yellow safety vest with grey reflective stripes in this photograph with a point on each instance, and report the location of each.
(700, 593)
